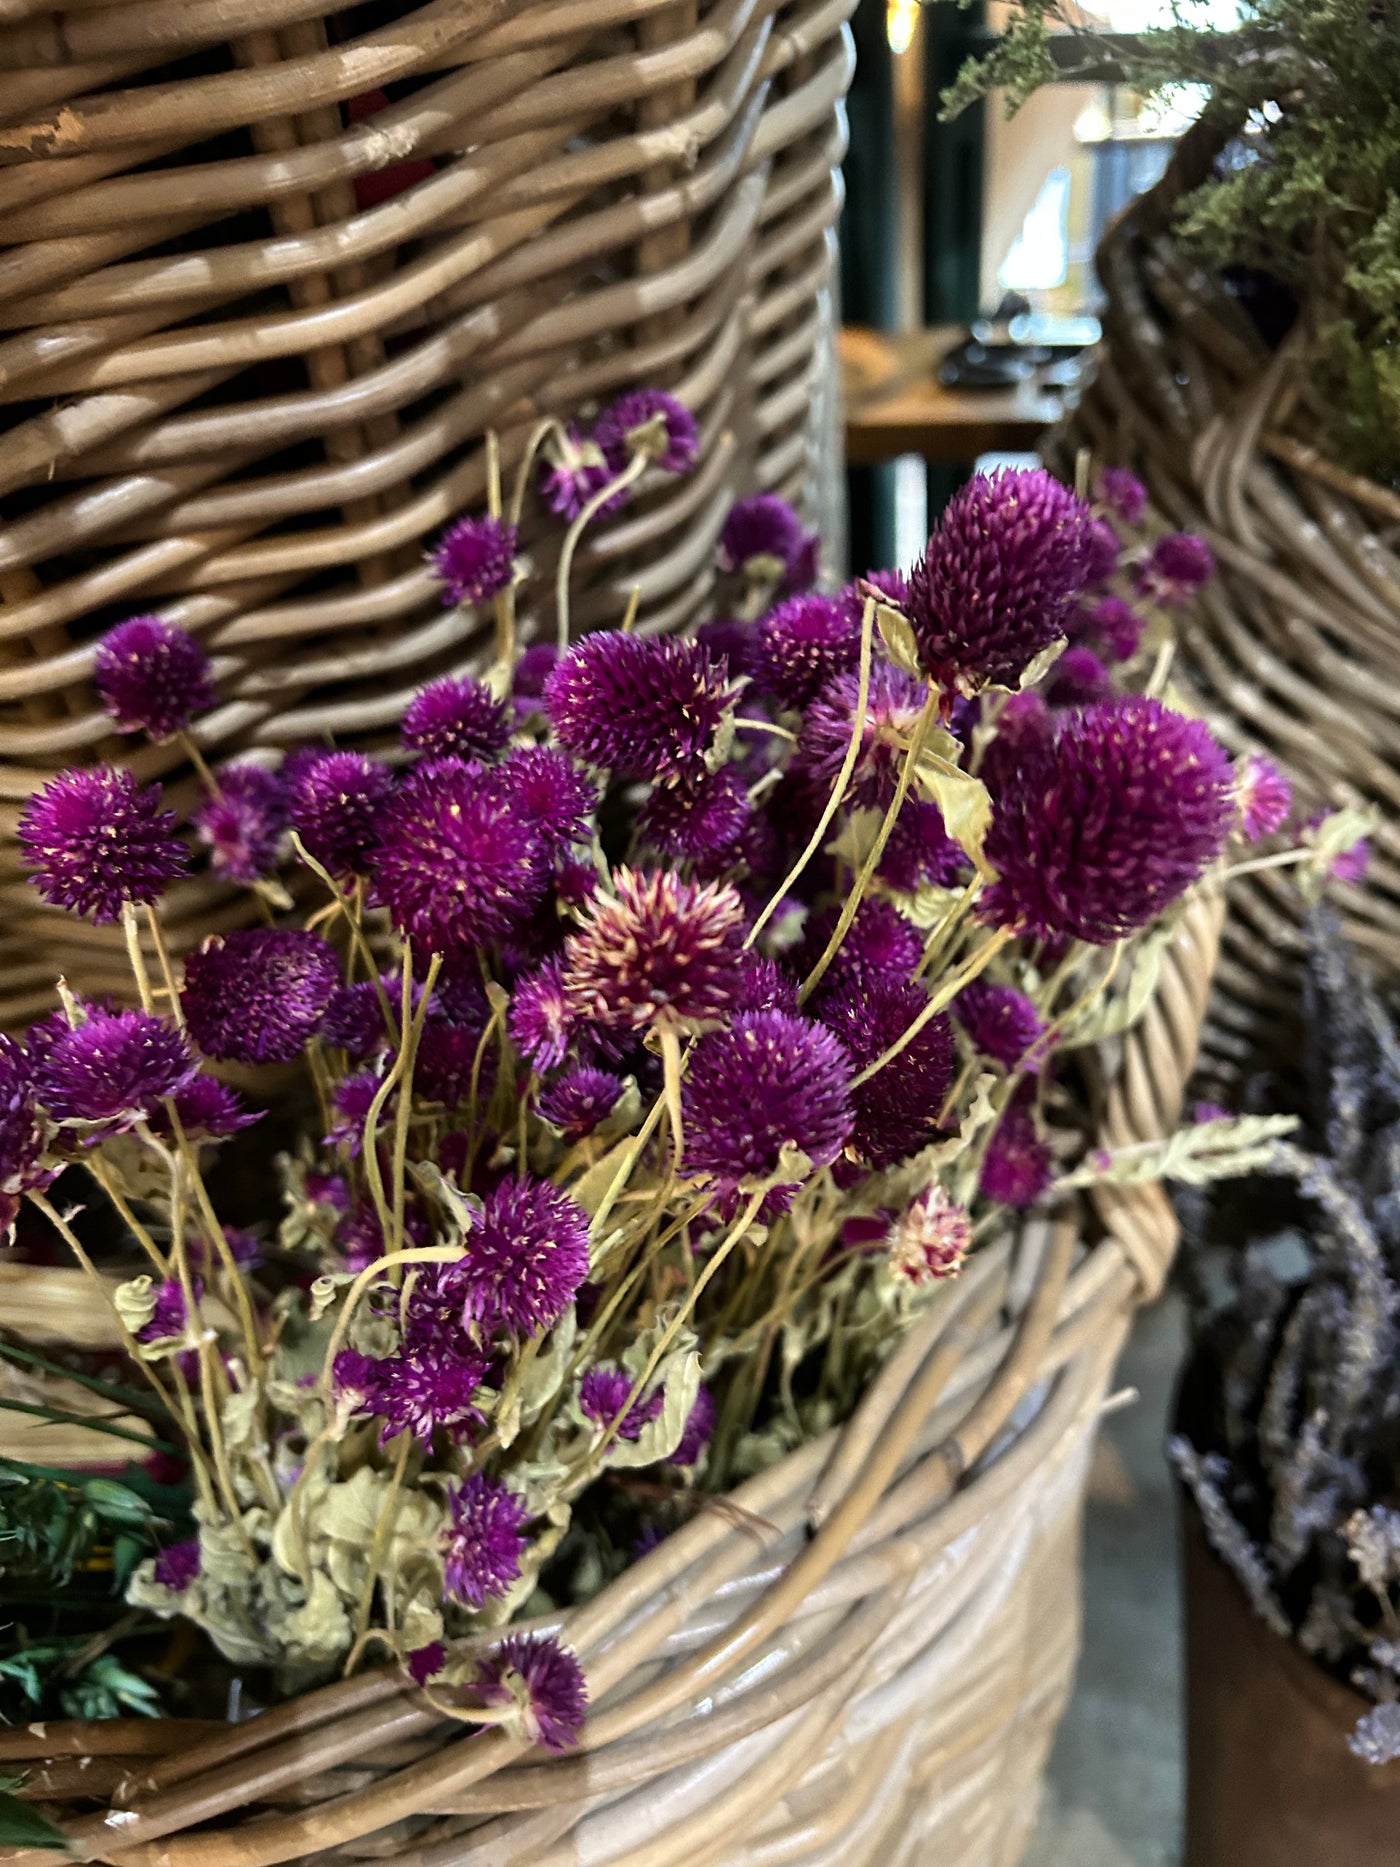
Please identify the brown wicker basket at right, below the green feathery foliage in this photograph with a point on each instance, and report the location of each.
(1295, 649)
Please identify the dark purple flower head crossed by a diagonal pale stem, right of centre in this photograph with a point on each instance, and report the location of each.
(897, 1110)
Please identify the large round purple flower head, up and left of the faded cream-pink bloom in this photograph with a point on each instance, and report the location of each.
(458, 862)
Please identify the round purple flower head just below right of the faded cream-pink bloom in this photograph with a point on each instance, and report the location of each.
(770, 1082)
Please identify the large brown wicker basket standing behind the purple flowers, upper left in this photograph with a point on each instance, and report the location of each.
(273, 272)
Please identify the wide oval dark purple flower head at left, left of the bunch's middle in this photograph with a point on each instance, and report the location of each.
(259, 994)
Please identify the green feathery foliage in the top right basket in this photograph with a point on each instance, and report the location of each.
(1308, 191)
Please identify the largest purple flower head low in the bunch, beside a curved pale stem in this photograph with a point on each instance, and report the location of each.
(525, 1259)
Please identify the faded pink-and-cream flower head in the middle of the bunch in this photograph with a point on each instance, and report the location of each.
(658, 951)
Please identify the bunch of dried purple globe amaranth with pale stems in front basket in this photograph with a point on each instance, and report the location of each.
(669, 1039)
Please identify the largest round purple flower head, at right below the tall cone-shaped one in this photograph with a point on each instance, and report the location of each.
(1106, 824)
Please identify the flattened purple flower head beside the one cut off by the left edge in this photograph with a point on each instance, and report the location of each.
(115, 1069)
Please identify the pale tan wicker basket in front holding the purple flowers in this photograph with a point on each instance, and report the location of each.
(860, 1664)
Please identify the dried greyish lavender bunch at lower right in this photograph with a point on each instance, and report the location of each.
(1296, 1463)
